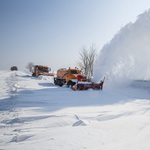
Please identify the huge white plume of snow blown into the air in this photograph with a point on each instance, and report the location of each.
(126, 56)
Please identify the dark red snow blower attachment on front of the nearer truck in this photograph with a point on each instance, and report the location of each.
(90, 85)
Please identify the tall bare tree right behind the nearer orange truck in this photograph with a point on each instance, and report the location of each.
(87, 59)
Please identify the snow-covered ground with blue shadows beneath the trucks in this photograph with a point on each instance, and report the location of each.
(36, 114)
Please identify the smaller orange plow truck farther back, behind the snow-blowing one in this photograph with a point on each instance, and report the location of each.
(41, 70)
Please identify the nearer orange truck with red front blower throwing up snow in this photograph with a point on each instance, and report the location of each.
(76, 79)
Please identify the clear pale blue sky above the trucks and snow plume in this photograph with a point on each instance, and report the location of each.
(52, 32)
